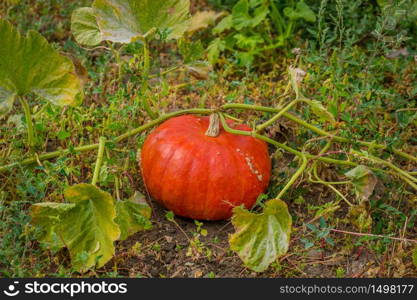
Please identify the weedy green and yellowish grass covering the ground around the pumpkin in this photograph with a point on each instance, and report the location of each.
(371, 96)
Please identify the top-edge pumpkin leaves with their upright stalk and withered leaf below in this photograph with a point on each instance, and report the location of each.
(128, 21)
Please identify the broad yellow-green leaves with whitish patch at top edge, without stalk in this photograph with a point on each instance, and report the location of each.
(125, 21)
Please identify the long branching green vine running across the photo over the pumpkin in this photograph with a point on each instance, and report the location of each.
(303, 156)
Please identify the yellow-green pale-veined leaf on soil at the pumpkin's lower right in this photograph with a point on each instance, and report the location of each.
(261, 238)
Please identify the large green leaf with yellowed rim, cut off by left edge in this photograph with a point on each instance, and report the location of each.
(28, 64)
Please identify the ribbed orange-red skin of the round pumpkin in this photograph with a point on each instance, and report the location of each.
(203, 177)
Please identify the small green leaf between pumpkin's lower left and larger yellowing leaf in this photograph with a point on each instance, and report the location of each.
(133, 215)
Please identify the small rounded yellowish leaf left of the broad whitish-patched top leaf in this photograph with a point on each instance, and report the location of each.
(84, 27)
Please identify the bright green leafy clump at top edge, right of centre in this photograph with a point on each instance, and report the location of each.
(246, 31)
